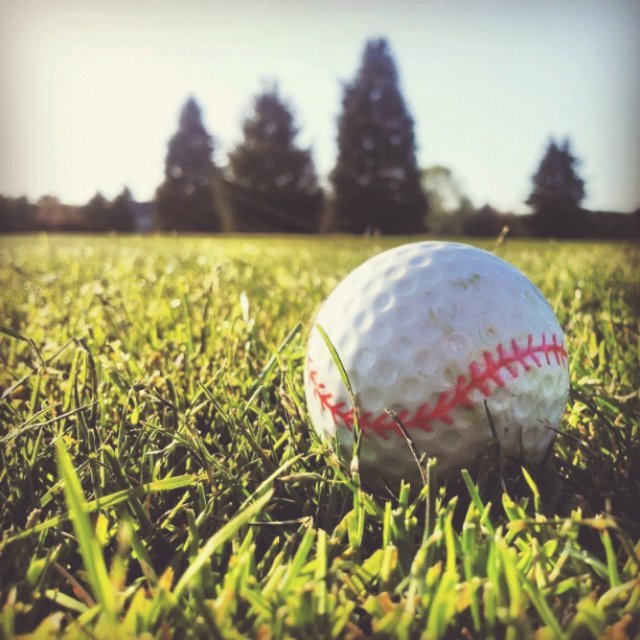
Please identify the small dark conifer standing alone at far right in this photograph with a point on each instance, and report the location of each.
(557, 193)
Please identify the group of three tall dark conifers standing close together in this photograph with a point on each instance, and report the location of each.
(270, 182)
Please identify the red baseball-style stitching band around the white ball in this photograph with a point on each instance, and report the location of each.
(483, 376)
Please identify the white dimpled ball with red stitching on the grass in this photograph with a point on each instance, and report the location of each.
(432, 331)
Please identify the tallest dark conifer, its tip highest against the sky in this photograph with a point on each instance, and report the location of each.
(376, 179)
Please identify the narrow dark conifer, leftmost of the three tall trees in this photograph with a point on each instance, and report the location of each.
(184, 201)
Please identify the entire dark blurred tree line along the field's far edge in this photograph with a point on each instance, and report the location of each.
(270, 184)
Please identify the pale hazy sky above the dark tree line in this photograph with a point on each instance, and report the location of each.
(90, 91)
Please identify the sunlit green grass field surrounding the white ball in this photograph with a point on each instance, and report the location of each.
(159, 476)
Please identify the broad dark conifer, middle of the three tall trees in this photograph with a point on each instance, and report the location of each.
(273, 184)
